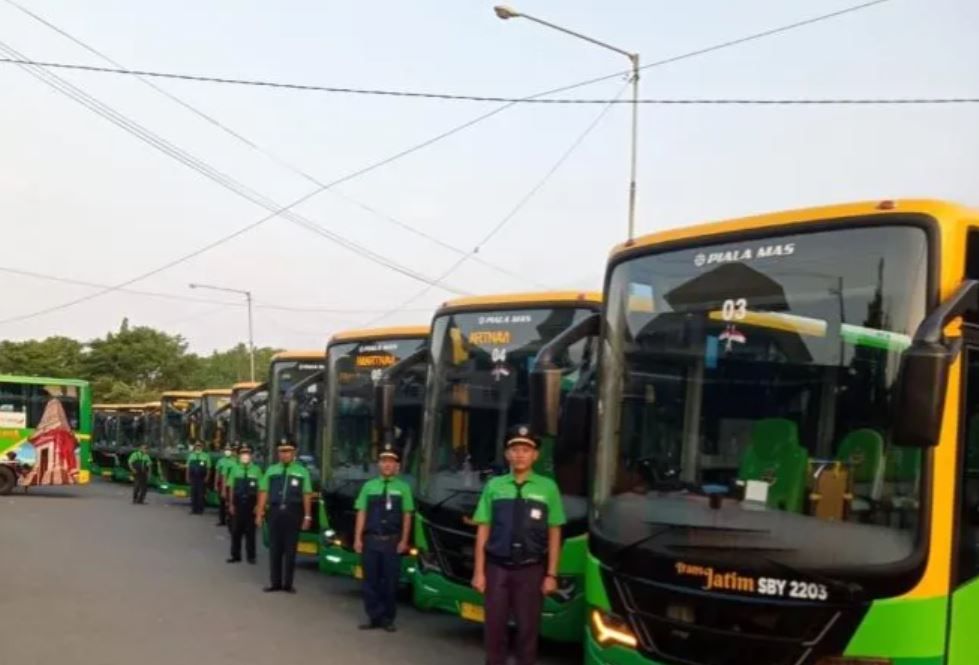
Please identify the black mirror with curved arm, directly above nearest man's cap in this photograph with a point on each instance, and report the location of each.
(545, 379)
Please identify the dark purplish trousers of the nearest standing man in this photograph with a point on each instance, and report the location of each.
(512, 592)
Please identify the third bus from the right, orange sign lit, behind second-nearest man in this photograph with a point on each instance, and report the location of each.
(357, 361)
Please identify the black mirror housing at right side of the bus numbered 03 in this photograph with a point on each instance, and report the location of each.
(919, 404)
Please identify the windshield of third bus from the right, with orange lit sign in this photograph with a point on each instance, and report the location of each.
(355, 369)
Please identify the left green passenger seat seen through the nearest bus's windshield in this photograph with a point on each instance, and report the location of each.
(775, 456)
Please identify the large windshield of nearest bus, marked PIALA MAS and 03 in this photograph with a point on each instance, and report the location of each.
(761, 372)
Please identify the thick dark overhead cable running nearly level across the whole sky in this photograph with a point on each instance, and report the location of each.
(659, 101)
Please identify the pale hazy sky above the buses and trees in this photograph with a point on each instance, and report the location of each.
(82, 199)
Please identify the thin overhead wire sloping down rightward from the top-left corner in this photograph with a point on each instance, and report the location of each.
(238, 136)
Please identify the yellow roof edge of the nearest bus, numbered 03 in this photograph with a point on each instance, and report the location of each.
(800, 216)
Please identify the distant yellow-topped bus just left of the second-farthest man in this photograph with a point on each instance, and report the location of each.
(181, 420)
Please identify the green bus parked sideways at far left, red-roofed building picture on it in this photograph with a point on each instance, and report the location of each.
(45, 432)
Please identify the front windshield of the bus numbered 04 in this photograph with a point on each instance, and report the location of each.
(478, 389)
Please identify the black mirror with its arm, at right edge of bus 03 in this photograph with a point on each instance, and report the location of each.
(919, 403)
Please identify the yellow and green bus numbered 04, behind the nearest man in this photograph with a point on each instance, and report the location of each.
(482, 353)
